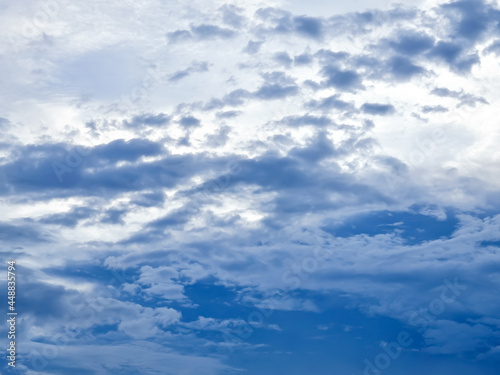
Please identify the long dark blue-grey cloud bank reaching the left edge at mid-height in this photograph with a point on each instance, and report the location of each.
(96, 173)
